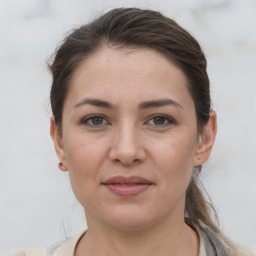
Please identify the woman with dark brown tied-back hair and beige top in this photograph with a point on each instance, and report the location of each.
(132, 123)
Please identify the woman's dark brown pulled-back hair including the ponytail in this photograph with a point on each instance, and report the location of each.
(137, 28)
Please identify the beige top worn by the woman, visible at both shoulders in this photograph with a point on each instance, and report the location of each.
(68, 248)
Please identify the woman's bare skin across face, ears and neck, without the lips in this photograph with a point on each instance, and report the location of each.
(160, 143)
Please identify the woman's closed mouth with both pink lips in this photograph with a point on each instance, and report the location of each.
(127, 186)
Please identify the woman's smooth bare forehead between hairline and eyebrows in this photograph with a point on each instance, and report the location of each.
(141, 73)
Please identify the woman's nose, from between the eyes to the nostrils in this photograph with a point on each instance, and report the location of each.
(127, 148)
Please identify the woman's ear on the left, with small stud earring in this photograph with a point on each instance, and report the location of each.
(57, 140)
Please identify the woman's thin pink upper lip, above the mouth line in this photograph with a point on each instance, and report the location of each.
(126, 180)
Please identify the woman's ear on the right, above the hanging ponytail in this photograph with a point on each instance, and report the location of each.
(206, 140)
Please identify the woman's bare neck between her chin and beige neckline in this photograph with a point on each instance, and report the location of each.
(175, 239)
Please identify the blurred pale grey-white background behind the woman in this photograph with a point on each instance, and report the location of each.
(37, 206)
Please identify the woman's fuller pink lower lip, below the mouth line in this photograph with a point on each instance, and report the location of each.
(128, 190)
